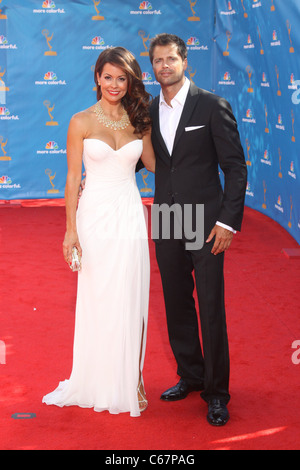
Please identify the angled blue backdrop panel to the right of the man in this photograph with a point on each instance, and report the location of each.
(257, 69)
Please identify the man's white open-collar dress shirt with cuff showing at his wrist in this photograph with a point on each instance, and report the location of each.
(169, 117)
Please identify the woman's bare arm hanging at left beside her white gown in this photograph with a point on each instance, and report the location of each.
(74, 158)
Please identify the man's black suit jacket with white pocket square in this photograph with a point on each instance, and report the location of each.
(191, 174)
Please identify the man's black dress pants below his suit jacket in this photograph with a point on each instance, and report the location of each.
(206, 363)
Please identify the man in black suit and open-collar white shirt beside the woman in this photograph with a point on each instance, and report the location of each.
(194, 132)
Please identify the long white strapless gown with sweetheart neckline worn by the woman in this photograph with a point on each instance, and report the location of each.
(113, 285)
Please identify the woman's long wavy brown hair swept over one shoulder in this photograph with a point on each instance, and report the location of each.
(136, 101)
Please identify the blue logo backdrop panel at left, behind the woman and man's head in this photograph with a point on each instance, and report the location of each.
(48, 51)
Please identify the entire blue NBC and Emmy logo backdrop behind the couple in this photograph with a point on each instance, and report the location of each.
(244, 50)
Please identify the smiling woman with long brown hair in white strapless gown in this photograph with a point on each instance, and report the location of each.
(109, 231)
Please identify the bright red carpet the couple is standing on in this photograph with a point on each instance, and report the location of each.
(37, 324)
